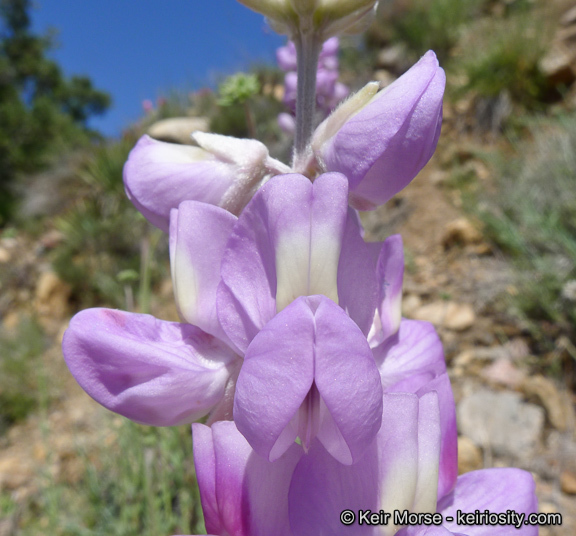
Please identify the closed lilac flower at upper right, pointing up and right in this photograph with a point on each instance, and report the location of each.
(381, 140)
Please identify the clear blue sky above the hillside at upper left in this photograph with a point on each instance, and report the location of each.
(140, 49)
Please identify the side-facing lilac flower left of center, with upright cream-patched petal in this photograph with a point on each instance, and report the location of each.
(157, 372)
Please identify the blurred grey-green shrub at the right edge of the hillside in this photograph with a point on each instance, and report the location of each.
(533, 219)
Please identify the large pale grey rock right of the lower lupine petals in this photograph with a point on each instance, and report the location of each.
(501, 422)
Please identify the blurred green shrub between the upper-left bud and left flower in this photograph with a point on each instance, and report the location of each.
(105, 236)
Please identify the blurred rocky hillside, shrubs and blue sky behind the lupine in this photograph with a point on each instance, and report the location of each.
(489, 229)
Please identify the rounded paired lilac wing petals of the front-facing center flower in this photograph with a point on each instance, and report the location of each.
(309, 373)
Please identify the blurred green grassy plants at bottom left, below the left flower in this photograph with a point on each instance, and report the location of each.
(140, 483)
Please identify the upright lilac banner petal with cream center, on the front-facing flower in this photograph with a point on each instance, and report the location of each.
(295, 238)
